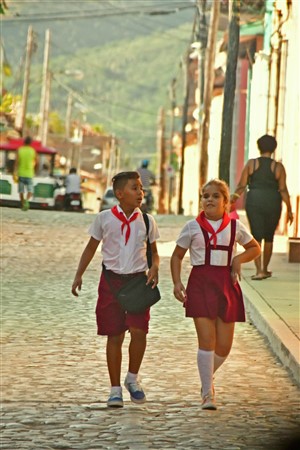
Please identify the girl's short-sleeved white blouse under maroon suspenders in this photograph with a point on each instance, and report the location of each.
(191, 237)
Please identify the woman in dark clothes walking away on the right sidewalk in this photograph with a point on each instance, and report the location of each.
(265, 179)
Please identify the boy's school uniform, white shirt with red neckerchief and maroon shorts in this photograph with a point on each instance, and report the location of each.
(124, 255)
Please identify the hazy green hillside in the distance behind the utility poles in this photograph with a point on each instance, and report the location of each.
(128, 61)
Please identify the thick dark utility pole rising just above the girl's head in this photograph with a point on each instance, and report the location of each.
(229, 90)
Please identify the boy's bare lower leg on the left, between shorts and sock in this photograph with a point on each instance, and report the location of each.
(114, 358)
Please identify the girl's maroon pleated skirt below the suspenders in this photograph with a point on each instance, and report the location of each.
(211, 293)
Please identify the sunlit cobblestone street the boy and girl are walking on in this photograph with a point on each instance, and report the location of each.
(54, 379)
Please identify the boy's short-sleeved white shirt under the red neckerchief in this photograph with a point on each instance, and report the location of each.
(117, 256)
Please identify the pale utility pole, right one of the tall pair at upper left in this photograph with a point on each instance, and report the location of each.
(45, 96)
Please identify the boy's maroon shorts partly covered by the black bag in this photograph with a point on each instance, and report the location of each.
(111, 319)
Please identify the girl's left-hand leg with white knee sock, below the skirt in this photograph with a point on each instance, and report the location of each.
(206, 332)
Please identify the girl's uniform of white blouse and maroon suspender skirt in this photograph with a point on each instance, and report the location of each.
(210, 290)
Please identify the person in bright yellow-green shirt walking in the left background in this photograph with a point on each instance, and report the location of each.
(24, 170)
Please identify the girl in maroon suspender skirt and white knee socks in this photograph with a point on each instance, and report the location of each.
(213, 297)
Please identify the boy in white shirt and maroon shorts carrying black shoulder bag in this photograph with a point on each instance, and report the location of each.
(123, 234)
